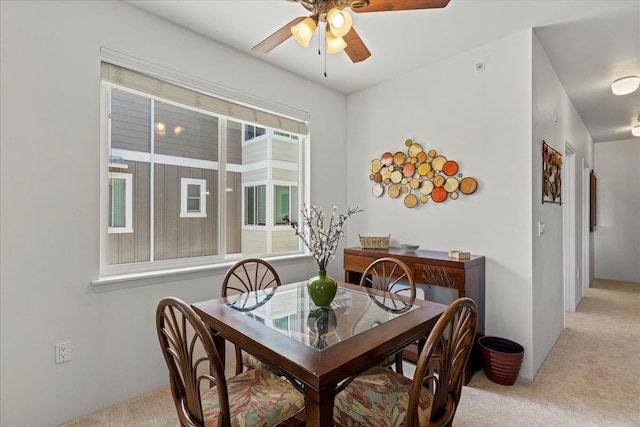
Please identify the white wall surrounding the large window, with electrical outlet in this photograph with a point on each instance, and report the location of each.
(50, 140)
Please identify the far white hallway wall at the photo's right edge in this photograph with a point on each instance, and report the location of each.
(617, 237)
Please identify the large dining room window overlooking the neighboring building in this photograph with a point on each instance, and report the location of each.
(200, 187)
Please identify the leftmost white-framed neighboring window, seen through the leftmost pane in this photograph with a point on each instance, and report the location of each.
(120, 202)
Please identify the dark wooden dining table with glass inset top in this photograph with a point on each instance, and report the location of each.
(319, 349)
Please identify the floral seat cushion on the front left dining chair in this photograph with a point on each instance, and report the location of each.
(256, 398)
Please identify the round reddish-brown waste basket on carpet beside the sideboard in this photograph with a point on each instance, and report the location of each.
(501, 358)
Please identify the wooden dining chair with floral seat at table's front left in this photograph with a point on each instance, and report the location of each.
(203, 396)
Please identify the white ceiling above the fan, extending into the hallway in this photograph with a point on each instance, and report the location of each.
(589, 42)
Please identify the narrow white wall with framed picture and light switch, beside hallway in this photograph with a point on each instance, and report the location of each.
(555, 121)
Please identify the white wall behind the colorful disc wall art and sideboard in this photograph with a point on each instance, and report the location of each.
(483, 121)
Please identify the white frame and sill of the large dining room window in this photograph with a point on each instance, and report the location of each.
(114, 273)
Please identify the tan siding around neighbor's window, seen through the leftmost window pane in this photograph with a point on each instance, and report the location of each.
(134, 247)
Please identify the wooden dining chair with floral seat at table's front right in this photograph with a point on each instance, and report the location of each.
(382, 397)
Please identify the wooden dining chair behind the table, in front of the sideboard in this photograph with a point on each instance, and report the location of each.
(394, 276)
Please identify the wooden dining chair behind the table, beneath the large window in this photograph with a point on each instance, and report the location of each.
(250, 274)
